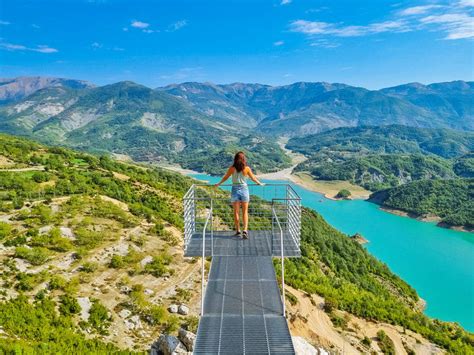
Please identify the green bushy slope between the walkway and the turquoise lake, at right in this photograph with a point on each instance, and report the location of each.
(350, 279)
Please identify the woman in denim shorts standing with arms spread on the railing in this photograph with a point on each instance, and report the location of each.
(240, 191)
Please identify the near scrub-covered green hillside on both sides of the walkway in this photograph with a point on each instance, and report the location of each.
(91, 258)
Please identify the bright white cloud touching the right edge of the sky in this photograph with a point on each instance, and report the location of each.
(456, 25)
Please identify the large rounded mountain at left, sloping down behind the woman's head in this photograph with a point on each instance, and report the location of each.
(133, 120)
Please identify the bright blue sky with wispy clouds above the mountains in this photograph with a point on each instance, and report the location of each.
(374, 44)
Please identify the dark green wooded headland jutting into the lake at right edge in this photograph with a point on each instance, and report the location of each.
(452, 200)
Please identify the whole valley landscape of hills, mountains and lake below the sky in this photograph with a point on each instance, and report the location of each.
(114, 226)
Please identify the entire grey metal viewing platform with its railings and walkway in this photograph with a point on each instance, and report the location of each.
(243, 310)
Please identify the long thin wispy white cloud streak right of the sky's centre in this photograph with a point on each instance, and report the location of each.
(325, 28)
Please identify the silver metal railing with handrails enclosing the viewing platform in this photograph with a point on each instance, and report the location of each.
(274, 209)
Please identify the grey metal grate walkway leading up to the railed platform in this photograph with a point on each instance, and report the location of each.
(243, 311)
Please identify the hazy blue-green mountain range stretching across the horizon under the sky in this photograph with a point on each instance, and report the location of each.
(186, 122)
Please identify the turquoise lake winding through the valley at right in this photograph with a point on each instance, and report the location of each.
(437, 262)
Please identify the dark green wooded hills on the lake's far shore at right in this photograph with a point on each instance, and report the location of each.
(417, 170)
